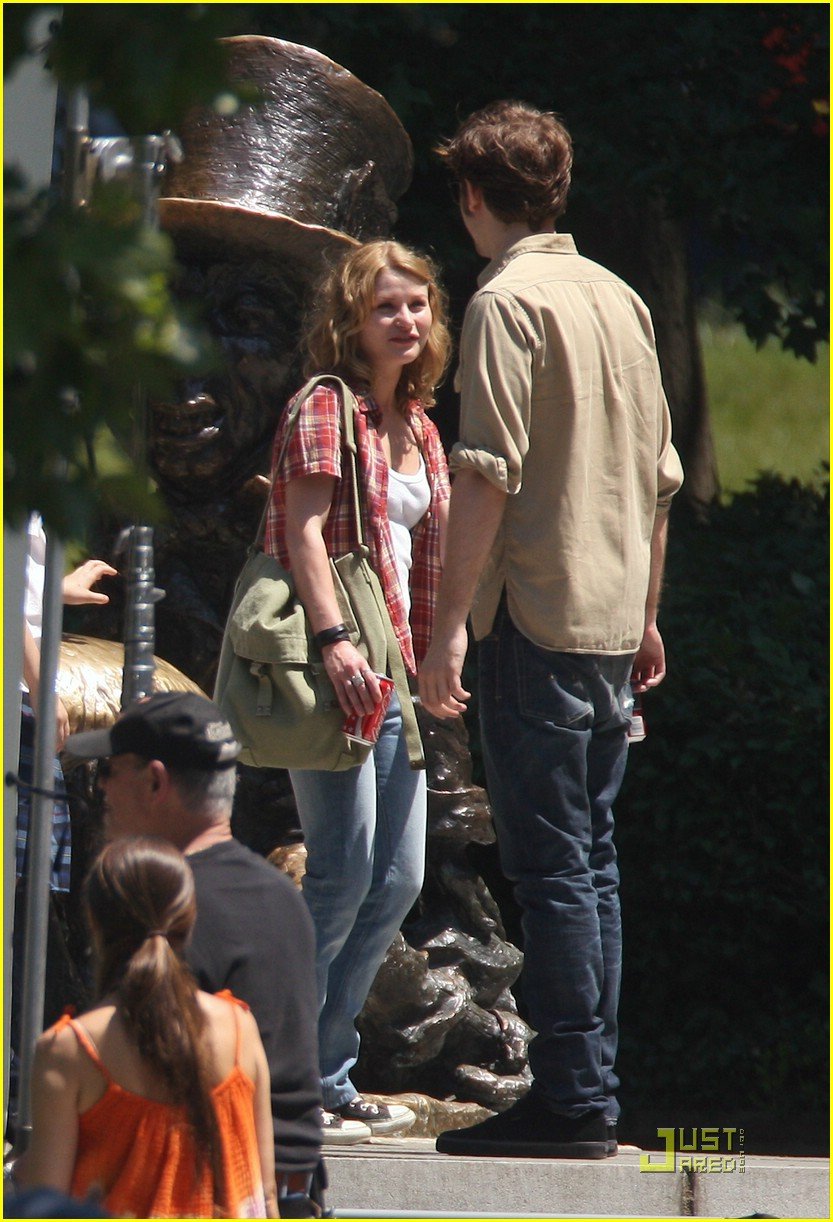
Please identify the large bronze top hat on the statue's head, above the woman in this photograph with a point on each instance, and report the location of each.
(311, 169)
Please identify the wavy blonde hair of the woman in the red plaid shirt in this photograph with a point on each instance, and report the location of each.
(343, 305)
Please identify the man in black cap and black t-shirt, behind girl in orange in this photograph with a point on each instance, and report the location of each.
(167, 768)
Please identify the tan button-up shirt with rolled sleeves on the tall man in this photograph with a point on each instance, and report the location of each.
(564, 409)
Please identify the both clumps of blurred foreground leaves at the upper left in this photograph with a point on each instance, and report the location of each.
(91, 323)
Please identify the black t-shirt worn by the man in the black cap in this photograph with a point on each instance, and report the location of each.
(255, 935)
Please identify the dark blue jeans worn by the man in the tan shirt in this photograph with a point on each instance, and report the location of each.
(555, 746)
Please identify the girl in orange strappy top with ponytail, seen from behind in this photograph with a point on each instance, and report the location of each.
(157, 1102)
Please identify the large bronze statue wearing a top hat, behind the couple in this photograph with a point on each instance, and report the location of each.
(262, 200)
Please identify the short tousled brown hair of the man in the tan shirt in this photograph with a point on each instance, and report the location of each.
(520, 157)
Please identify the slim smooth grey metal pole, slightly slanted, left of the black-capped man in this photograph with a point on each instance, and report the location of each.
(40, 841)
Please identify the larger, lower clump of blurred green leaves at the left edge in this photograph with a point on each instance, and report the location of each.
(91, 326)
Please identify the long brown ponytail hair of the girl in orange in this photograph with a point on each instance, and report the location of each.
(141, 905)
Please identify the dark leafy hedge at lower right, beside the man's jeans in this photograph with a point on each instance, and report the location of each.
(724, 818)
